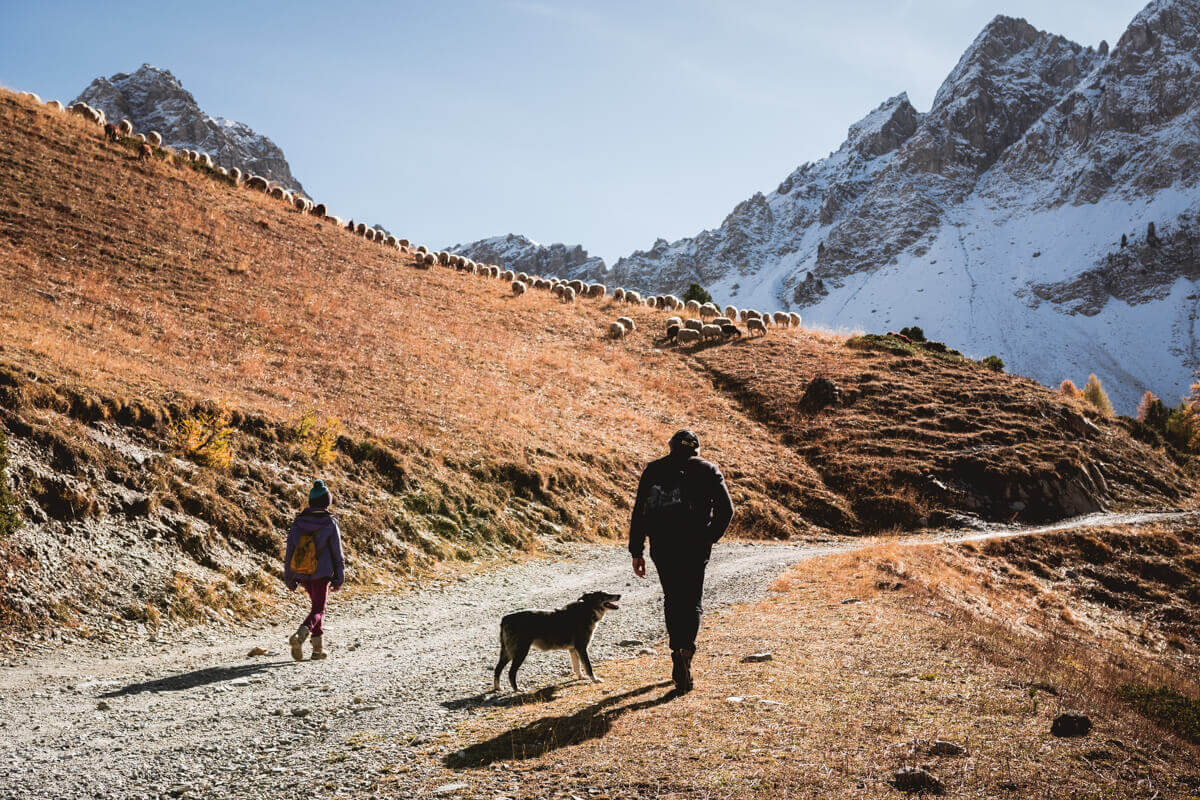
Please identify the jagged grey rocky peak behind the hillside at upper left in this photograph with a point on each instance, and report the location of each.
(154, 100)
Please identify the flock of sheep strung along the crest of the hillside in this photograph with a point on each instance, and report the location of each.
(706, 322)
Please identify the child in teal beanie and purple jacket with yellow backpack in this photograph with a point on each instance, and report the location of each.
(314, 561)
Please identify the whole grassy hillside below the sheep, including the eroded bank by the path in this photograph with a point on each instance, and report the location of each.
(145, 298)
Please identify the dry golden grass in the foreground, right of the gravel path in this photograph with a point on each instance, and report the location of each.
(853, 693)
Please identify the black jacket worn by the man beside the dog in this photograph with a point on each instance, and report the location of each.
(682, 501)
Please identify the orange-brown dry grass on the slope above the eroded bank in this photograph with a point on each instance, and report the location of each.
(155, 280)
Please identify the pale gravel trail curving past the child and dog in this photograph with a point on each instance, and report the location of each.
(203, 720)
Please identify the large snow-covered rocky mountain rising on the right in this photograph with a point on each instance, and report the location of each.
(1010, 219)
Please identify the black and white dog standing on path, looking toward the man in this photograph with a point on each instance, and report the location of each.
(569, 628)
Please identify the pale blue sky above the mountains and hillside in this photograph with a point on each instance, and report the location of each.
(603, 124)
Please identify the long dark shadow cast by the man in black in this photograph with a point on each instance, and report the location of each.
(547, 735)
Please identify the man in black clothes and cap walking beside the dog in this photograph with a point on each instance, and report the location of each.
(685, 507)
